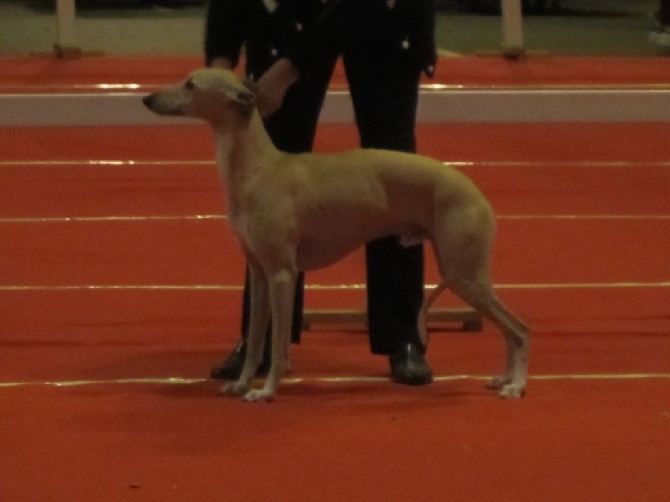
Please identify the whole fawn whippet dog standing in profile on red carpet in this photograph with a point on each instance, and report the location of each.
(297, 212)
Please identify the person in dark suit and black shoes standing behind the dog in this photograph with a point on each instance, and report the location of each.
(291, 49)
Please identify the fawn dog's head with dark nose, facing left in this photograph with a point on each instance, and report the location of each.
(209, 94)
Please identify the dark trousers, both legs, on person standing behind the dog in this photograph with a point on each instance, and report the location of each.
(383, 81)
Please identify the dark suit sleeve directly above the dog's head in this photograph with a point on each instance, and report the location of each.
(226, 28)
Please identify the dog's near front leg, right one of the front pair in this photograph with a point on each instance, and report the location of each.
(282, 292)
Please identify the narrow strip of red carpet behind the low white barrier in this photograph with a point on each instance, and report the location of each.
(466, 71)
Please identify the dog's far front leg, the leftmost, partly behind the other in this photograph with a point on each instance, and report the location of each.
(258, 326)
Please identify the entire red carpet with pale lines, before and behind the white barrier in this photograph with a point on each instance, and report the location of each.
(581, 255)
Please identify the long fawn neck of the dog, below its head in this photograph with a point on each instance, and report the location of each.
(243, 149)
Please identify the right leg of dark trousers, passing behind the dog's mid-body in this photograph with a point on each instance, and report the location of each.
(384, 85)
